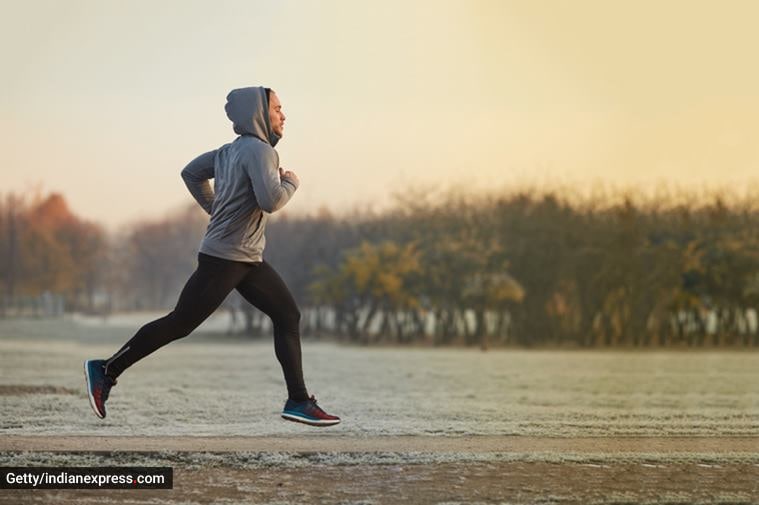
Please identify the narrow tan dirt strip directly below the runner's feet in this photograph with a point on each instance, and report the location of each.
(325, 442)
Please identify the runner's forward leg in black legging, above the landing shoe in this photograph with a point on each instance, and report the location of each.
(265, 289)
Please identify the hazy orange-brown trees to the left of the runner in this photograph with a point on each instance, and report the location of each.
(48, 253)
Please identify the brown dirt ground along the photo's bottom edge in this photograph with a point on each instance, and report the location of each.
(512, 483)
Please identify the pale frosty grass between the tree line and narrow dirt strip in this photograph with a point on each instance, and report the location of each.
(215, 385)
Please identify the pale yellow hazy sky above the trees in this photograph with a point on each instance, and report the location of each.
(107, 101)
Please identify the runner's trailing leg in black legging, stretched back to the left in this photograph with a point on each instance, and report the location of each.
(213, 280)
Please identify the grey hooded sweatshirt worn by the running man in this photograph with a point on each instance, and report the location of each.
(247, 186)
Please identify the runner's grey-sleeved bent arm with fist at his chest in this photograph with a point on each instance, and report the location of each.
(263, 169)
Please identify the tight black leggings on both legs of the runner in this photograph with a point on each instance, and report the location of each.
(208, 286)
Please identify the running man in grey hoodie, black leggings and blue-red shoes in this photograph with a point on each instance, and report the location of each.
(249, 184)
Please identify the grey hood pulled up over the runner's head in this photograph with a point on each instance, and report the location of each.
(248, 109)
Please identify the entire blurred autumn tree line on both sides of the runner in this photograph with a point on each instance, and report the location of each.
(530, 268)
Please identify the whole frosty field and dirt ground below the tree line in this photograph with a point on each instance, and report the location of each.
(419, 425)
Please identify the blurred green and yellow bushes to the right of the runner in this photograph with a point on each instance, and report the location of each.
(533, 268)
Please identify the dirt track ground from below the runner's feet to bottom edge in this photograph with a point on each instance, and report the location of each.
(209, 470)
